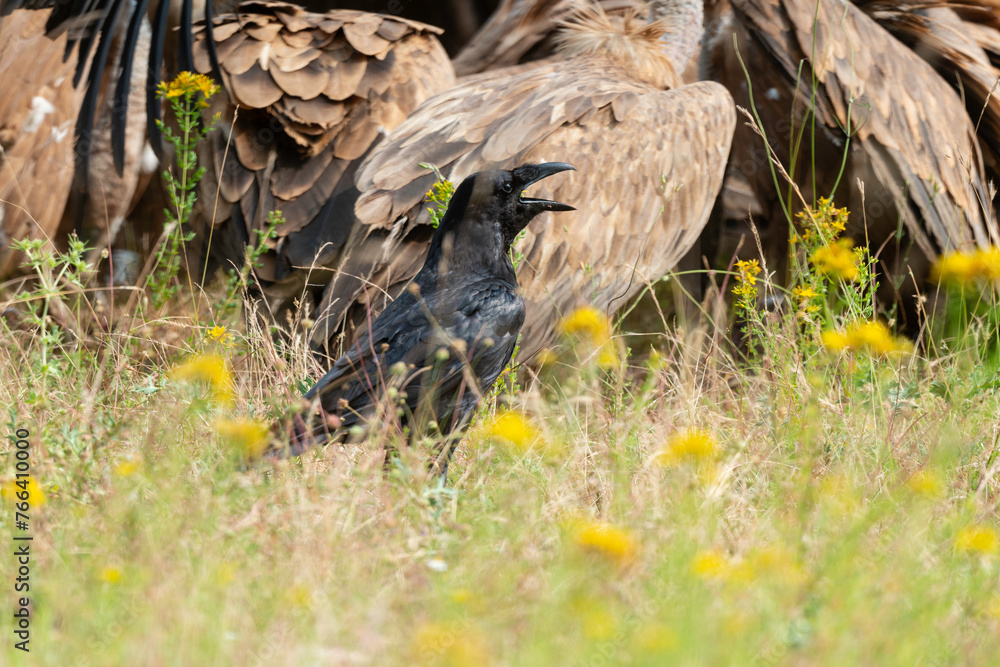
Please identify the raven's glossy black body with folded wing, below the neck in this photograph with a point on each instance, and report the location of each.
(439, 350)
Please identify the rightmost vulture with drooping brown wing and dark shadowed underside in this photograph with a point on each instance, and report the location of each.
(836, 90)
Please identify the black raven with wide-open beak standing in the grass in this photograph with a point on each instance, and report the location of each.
(450, 334)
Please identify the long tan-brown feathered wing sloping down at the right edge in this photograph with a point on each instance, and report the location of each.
(891, 104)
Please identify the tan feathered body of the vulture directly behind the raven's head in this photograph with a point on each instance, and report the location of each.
(649, 154)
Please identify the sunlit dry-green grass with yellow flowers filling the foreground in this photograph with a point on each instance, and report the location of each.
(835, 522)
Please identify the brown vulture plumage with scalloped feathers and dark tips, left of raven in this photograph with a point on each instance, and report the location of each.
(314, 92)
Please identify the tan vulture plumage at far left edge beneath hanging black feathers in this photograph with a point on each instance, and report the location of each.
(37, 117)
